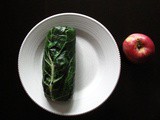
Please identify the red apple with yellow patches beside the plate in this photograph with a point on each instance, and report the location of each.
(138, 47)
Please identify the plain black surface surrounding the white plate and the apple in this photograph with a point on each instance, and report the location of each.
(137, 95)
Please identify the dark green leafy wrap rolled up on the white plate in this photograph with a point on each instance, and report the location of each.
(58, 64)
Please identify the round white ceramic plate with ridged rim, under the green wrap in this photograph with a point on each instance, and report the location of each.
(97, 64)
